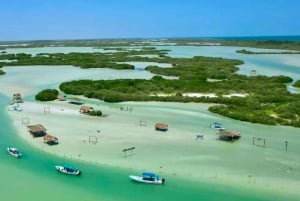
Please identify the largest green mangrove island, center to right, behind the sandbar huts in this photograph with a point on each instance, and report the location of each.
(266, 99)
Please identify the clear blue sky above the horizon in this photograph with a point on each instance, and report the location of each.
(91, 19)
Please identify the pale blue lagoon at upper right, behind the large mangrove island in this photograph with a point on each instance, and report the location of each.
(263, 64)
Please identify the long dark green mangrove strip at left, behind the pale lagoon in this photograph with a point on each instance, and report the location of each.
(83, 60)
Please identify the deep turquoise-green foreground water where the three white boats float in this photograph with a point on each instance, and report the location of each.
(34, 178)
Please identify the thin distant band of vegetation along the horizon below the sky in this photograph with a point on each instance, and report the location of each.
(123, 44)
